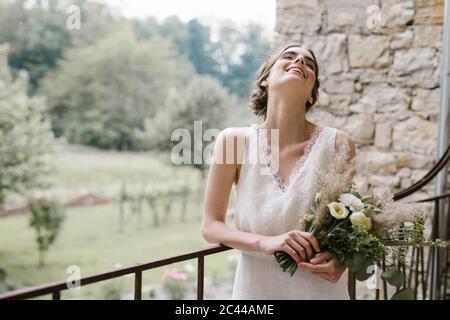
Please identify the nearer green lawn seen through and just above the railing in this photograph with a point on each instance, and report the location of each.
(89, 239)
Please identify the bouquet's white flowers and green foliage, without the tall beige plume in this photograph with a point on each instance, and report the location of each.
(355, 229)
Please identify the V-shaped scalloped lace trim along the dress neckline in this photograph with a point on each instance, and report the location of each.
(283, 185)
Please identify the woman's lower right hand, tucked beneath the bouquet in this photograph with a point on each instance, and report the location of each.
(326, 266)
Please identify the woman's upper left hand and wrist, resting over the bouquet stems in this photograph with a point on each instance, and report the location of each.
(301, 246)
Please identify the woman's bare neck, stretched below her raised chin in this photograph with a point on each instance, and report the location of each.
(289, 118)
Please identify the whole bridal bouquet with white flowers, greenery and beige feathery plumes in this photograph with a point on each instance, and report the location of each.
(360, 230)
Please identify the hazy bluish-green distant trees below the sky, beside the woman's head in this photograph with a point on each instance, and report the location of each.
(233, 58)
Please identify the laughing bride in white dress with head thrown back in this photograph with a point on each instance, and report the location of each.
(273, 192)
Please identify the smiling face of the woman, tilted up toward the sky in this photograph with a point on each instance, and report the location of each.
(294, 72)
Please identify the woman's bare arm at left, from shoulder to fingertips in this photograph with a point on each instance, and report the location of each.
(225, 164)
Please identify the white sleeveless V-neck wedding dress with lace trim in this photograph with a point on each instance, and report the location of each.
(265, 205)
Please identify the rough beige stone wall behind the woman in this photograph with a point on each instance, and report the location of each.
(379, 79)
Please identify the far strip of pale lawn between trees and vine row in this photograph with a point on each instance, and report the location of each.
(80, 168)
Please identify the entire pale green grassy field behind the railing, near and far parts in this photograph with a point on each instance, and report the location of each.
(90, 238)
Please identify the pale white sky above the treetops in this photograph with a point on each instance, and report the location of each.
(208, 11)
